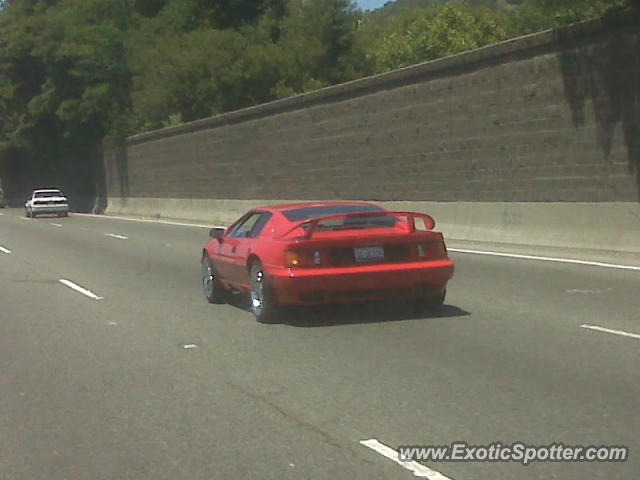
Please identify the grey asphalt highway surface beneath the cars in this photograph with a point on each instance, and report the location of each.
(105, 388)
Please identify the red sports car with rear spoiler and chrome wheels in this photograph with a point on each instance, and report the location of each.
(317, 253)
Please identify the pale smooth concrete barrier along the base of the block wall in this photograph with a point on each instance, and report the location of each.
(583, 226)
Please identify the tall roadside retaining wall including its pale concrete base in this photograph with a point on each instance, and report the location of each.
(535, 140)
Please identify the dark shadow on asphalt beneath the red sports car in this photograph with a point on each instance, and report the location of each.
(355, 313)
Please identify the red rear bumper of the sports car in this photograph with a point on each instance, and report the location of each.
(312, 286)
